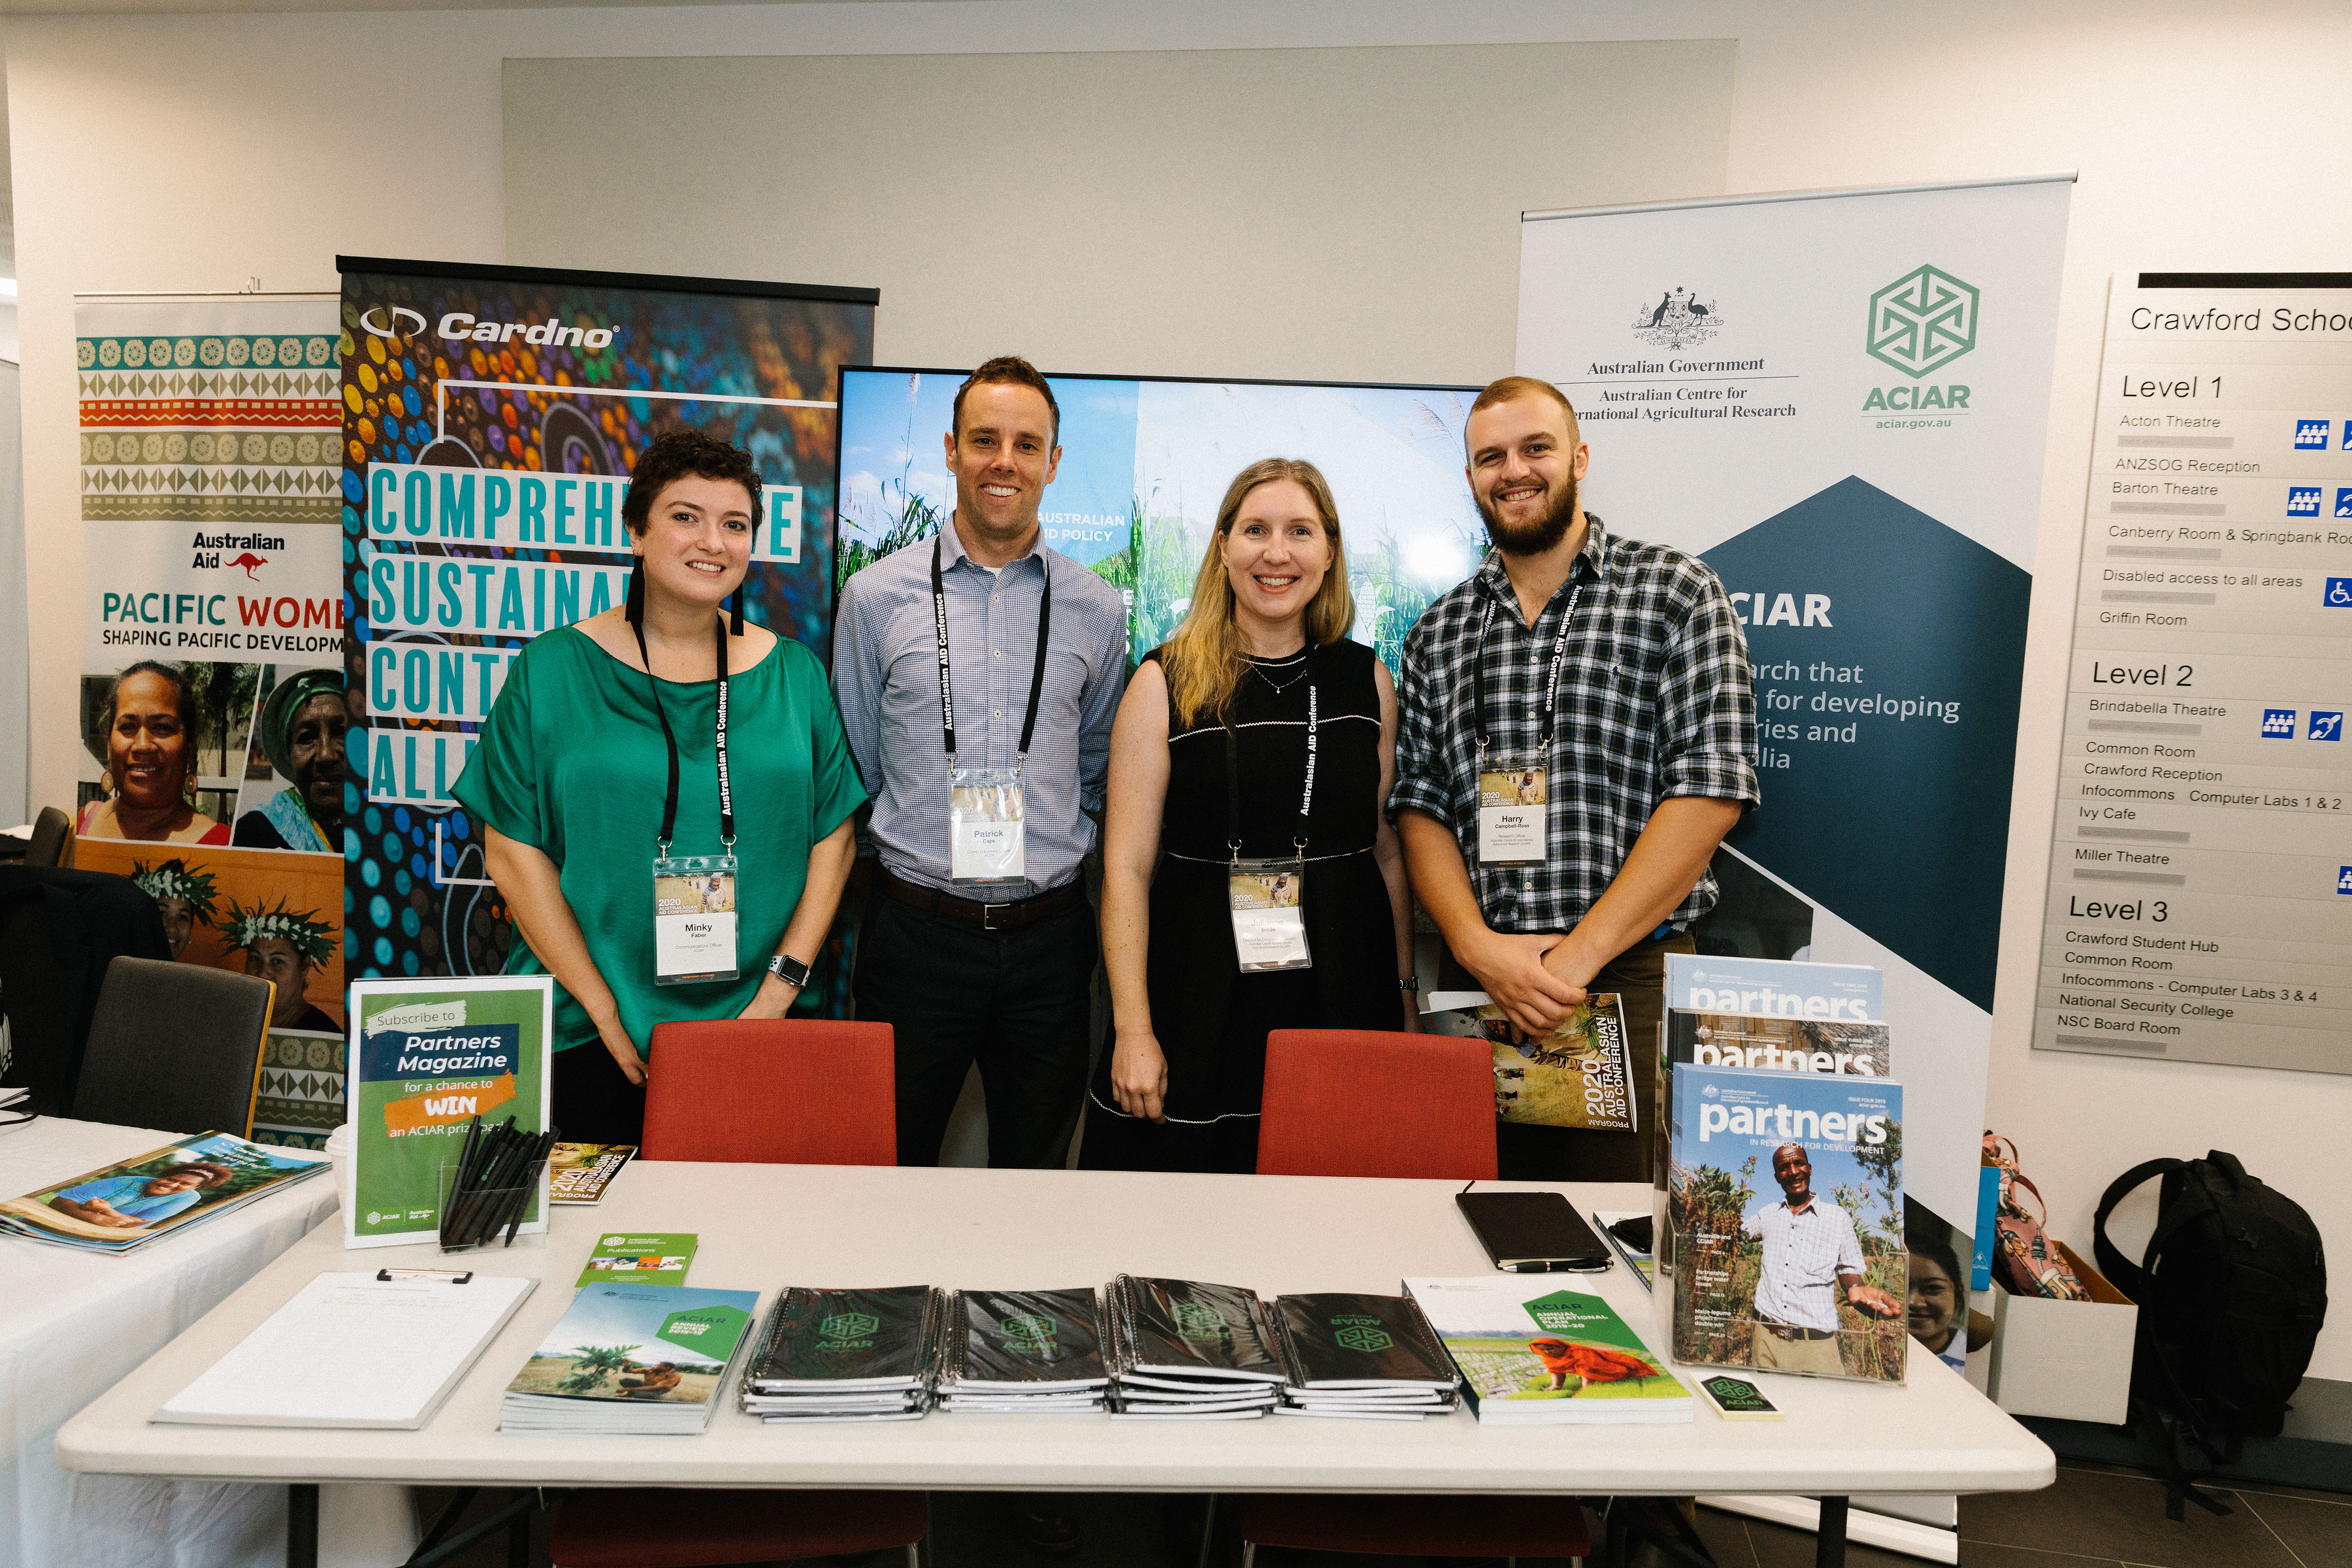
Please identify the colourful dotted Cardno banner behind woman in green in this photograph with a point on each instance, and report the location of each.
(490, 424)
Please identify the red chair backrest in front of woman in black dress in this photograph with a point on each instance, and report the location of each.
(1368, 1104)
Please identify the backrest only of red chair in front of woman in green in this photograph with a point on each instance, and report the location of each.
(777, 1092)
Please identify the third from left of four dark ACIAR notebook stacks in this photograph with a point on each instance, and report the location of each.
(1184, 1351)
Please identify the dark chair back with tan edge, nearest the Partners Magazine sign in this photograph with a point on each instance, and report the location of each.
(175, 1047)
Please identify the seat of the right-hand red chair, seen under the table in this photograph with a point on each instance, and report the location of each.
(1415, 1527)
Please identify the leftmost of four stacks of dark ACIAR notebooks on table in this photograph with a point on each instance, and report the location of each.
(848, 1355)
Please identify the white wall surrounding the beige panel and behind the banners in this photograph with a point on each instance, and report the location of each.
(189, 154)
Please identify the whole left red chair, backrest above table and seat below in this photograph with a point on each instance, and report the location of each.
(794, 1092)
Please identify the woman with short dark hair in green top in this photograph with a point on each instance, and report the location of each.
(573, 770)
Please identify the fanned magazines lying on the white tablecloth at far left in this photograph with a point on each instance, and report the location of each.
(140, 1200)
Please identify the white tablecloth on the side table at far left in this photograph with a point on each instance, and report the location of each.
(74, 1325)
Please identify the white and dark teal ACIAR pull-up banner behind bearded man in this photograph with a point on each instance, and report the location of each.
(1838, 401)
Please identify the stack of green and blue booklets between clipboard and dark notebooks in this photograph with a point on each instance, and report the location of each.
(632, 1362)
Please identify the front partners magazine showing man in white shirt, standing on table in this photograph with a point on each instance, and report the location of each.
(1735, 1301)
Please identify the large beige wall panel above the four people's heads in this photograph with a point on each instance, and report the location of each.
(1330, 215)
